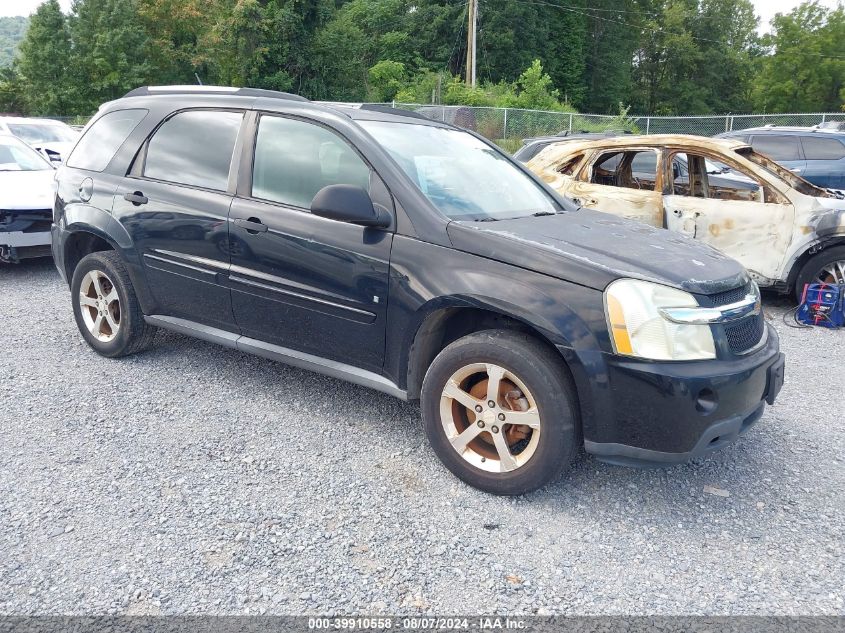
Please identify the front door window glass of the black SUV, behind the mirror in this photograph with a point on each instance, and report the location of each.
(295, 159)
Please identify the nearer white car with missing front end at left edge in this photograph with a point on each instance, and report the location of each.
(26, 201)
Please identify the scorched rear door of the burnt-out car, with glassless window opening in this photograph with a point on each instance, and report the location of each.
(624, 183)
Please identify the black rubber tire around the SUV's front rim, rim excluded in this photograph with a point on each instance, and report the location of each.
(543, 374)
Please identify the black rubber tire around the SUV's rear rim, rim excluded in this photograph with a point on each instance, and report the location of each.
(134, 333)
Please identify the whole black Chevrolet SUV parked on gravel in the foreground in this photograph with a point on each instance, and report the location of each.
(417, 259)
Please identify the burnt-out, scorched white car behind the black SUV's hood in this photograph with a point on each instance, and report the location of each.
(786, 231)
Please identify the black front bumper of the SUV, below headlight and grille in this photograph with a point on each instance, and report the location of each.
(657, 413)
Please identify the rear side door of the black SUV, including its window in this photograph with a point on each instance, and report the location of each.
(175, 204)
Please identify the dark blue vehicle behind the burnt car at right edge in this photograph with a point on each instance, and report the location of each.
(815, 153)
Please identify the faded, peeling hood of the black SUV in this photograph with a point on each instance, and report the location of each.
(593, 249)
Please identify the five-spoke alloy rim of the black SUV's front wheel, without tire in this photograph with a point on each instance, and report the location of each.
(490, 417)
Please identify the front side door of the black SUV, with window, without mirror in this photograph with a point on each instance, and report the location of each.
(300, 281)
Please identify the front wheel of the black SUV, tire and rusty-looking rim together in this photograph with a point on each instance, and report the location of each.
(499, 411)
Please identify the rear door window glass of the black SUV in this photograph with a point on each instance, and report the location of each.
(194, 148)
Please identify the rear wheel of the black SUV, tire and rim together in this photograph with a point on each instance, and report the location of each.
(105, 307)
